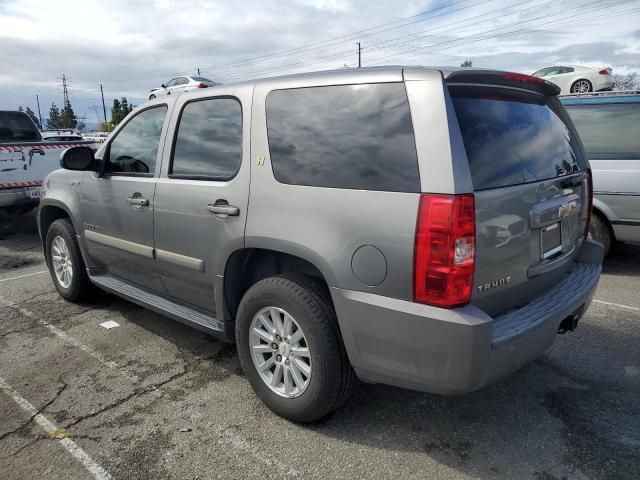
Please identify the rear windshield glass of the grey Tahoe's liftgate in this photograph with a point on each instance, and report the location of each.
(513, 138)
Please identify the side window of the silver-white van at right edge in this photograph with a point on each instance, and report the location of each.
(608, 130)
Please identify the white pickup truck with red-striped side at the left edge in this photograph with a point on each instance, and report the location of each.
(25, 159)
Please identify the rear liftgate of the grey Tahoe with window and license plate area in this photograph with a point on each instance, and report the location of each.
(530, 181)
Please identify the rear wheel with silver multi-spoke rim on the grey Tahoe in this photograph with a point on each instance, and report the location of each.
(290, 348)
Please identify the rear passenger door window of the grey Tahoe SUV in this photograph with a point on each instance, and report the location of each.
(208, 143)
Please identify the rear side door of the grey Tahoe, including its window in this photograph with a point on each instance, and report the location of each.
(202, 194)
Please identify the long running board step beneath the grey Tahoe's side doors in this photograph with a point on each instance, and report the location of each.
(189, 316)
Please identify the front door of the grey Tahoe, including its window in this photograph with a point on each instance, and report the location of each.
(117, 206)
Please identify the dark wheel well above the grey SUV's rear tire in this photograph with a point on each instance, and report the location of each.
(250, 265)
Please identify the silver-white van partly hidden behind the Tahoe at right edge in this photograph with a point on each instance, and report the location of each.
(609, 126)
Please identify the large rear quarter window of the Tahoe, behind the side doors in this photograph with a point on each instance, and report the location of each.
(346, 136)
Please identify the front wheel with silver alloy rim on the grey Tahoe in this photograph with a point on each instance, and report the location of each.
(65, 262)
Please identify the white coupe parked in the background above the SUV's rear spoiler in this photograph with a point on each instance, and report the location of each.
(576, 79)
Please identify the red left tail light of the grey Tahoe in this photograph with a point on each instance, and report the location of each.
(444, 253)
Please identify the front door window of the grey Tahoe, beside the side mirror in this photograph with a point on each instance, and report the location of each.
(134, 149)
